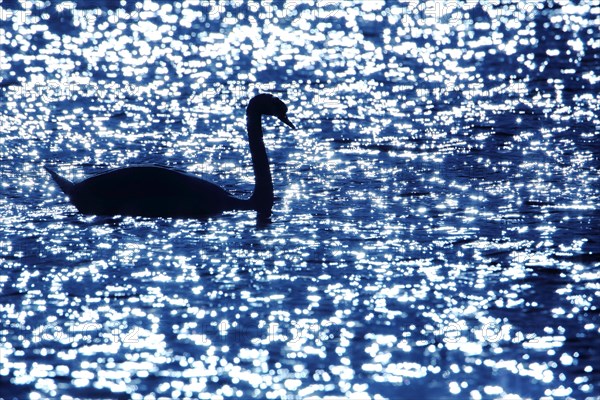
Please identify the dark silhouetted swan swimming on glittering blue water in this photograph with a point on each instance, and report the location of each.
(154, 191)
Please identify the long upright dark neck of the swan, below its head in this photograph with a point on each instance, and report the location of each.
(262, 198)
